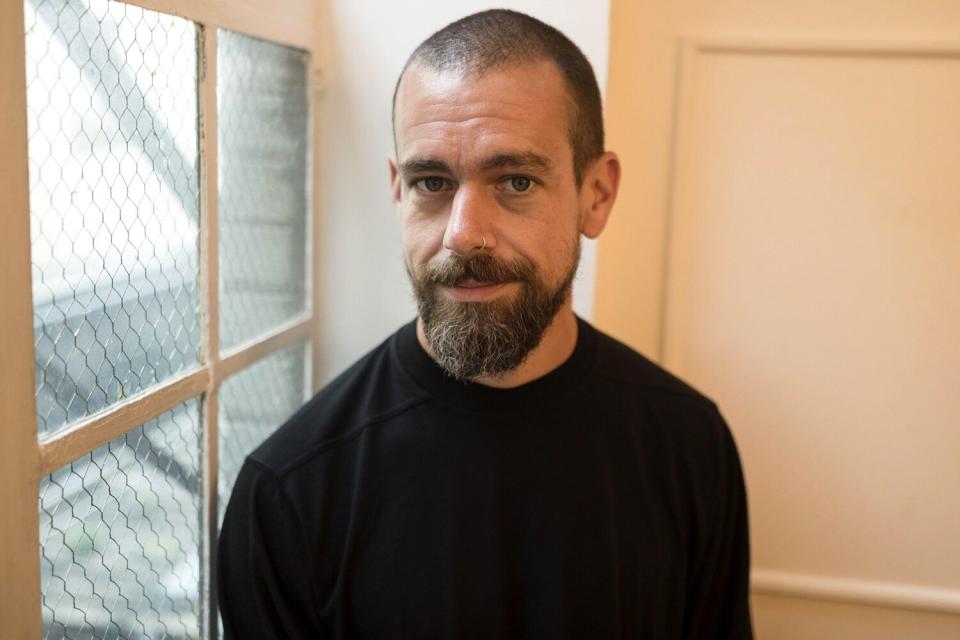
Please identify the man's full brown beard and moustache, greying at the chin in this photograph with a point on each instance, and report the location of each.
(472, 339)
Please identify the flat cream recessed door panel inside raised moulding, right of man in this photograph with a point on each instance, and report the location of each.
(813, 288)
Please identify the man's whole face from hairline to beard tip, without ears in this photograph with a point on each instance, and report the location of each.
(489, 208)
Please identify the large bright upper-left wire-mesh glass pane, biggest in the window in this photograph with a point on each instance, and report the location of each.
(112, 122)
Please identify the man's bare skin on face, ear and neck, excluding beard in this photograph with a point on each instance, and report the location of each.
(485, 164)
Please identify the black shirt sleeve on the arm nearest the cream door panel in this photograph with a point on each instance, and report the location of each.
(718, 605)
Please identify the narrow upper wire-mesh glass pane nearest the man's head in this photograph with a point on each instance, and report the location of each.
(263, 137)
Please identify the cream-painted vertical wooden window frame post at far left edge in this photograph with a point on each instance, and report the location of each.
(19, 453)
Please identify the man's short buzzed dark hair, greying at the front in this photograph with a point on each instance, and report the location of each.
(499, 38)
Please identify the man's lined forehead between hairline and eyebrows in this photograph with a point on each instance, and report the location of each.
(463, 117)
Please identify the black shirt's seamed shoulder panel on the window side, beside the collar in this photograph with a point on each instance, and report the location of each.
(371, 391)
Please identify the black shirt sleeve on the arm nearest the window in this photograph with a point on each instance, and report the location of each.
(263, 586)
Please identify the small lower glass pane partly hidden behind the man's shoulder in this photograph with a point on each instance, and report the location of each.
(253, 404)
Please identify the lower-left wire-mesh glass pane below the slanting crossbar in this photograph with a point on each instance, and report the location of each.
(120, 535)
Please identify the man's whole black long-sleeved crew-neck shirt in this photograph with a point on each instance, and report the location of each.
(603, 500)
